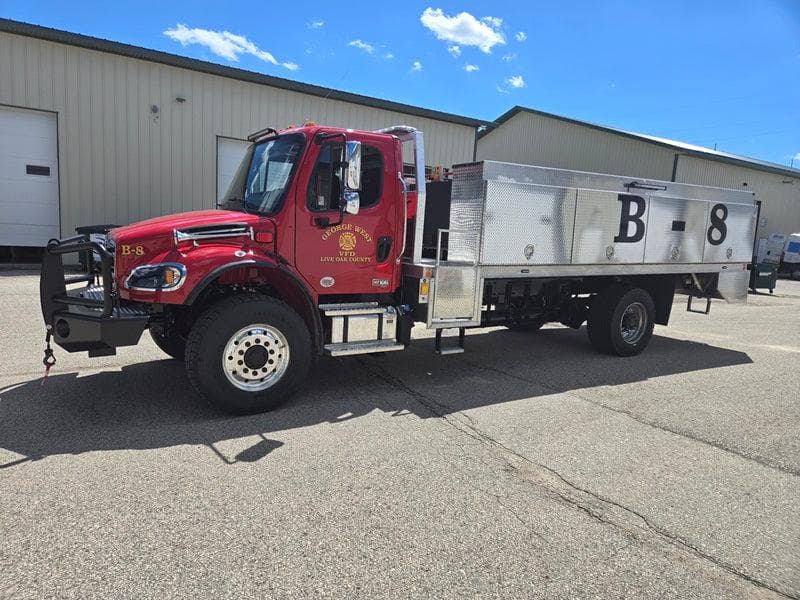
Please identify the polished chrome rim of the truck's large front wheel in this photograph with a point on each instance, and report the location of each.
(256, 357)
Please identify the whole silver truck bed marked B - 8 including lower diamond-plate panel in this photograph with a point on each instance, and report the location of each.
(510, 220)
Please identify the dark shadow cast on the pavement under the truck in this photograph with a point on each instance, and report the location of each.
(151, 404)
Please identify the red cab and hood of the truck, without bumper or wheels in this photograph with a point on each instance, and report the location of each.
(290, 197)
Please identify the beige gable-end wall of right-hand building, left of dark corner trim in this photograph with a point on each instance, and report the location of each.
(538, 140)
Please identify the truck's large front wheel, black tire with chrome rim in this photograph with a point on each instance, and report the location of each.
(248, 353)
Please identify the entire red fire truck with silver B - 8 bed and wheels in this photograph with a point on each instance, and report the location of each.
(329, 242)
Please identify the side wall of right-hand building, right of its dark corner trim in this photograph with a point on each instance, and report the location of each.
(779, 194)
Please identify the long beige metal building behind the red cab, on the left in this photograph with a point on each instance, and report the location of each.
(93, 131)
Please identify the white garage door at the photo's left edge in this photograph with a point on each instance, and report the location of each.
(28, 177)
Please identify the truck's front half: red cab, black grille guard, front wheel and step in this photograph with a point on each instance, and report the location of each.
(312, 227)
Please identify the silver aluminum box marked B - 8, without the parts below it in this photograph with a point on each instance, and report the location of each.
(510, 214)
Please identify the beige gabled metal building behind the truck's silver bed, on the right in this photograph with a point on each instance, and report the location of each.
(524, 135)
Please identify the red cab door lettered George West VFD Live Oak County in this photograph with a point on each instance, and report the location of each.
(342, 253)
